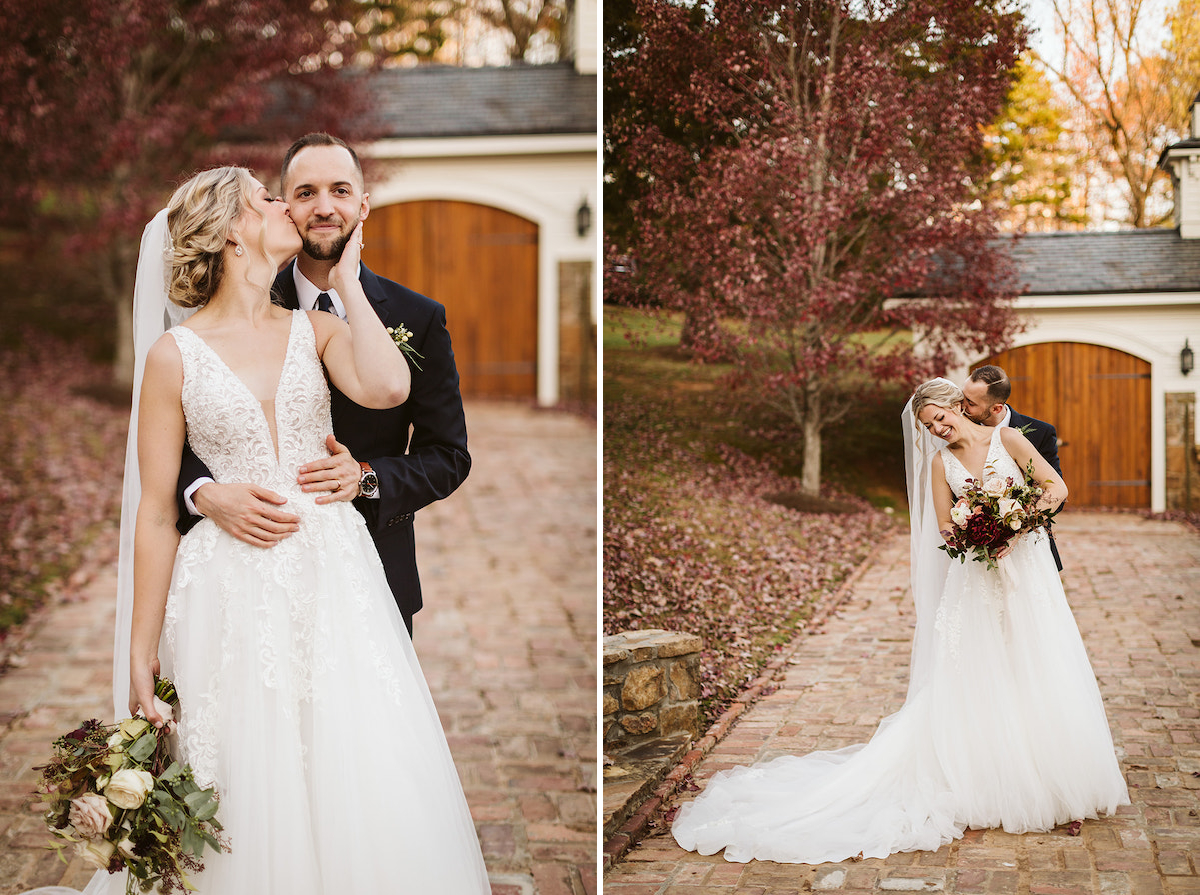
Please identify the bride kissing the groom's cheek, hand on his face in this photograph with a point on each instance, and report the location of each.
(302, 698)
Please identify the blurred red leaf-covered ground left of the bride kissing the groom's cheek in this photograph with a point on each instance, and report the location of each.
(61, 482)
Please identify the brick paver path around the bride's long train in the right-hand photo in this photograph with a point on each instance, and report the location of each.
(1135, 586)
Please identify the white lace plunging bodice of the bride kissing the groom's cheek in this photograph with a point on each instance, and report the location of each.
(227, 427)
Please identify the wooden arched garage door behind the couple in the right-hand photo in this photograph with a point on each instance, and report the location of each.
(1099, 399)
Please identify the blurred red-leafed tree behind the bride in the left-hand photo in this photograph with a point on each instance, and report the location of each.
(105, 107)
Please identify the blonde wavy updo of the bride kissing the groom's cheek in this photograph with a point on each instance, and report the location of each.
(201, 218)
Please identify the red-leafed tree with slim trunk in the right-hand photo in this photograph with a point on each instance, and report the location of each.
(800, 171)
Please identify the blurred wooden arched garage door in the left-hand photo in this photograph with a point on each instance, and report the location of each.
(482, 263)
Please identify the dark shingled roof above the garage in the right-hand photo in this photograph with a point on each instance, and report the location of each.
(1123, 262)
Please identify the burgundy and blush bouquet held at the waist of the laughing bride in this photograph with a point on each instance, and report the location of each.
(992, 513)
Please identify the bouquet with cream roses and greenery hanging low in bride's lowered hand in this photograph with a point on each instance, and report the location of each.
(116, 794)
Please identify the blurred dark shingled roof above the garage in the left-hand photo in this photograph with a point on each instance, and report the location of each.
(442, 101)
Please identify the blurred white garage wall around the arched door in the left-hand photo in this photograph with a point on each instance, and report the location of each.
(544, 179)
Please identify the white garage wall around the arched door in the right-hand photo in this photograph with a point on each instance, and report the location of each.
(1151, 327)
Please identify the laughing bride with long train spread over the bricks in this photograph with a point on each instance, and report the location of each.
(1004, 725)
